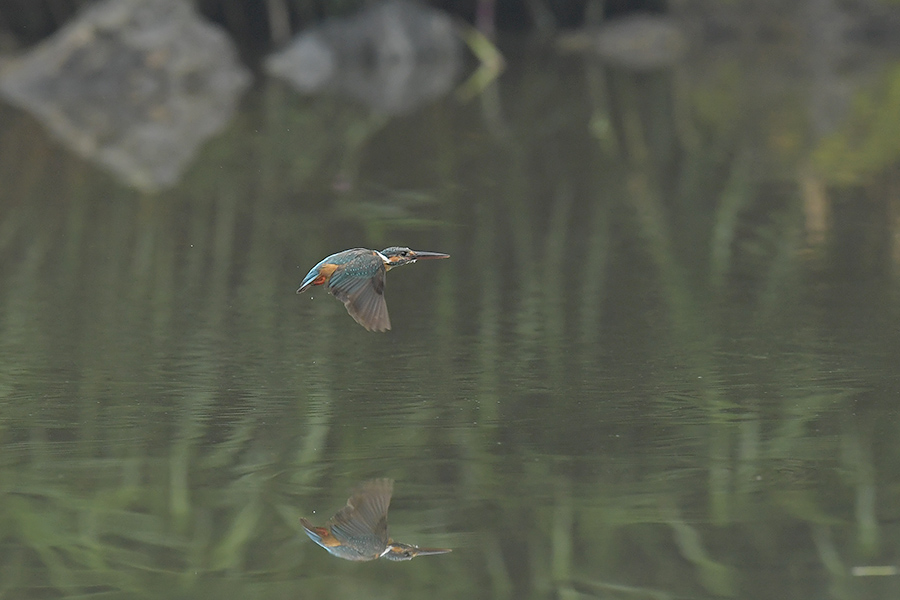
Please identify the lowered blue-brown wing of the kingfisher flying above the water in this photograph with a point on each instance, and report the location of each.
(359, 284)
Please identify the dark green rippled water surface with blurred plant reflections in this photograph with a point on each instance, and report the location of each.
(661, 362)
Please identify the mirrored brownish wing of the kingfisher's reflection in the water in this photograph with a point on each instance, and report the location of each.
(364, 519)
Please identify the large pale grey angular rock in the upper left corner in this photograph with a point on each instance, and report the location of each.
(135, 85)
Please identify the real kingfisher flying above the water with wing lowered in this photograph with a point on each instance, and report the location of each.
(356, 278)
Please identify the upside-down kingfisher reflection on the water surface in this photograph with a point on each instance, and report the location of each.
(358, 531)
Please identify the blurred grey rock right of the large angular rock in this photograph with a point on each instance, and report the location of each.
(392, 56)
